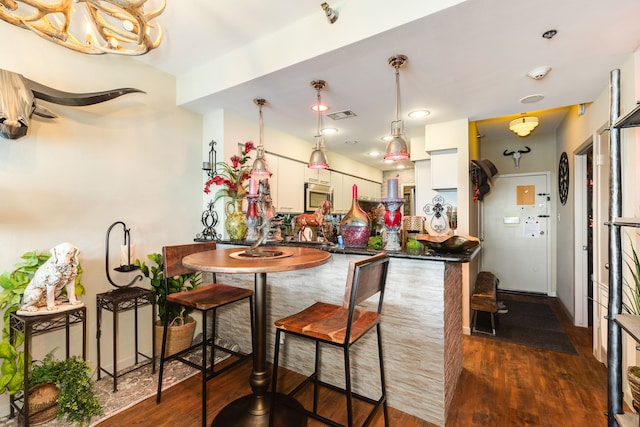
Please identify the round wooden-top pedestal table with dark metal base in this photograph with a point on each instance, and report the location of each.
(253, 409)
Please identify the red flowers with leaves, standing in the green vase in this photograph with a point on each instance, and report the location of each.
(232, 176)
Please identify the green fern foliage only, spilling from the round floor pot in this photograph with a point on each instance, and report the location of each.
(76, 400)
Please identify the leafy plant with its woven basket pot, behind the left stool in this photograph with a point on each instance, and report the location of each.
(181, 324)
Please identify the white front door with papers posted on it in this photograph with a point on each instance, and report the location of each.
(515, 232)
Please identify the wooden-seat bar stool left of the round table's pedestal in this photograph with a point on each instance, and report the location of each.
(205, 299)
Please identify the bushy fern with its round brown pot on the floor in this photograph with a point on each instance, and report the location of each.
(75, 397)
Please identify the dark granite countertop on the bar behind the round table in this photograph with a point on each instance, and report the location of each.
(424, 254)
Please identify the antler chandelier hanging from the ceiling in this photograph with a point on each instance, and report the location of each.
(90, 26)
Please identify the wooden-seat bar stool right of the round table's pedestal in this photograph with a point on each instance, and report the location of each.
(341, 326)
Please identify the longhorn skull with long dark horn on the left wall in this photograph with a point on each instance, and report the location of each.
(18, 102)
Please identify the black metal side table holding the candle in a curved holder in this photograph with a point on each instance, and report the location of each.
(117, 301)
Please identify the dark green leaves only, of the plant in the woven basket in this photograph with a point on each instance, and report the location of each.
(179, 283)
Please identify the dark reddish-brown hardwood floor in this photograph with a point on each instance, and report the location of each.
(502, 384)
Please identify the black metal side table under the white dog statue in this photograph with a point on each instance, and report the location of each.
(32, 325)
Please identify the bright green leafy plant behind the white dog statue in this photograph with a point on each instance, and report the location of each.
(12, 287)
